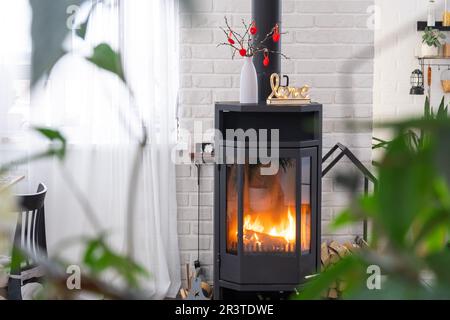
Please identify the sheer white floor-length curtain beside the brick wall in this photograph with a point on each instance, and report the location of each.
(97, 114)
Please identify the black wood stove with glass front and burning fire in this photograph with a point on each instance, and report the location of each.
(267, 227)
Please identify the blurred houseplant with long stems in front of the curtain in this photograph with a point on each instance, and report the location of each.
(98, 258)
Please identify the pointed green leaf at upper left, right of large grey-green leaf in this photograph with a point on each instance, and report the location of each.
(106, 58)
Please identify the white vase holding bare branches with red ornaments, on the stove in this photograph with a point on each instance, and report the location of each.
(248, 44)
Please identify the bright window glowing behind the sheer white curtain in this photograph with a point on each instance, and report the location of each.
(88, 104)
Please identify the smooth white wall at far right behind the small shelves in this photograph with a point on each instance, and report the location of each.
(397, 42)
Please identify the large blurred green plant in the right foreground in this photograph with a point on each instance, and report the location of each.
(410, 217)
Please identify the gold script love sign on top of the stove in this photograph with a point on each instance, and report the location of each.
(286, 95)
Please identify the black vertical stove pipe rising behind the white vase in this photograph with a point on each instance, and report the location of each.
(266, 13)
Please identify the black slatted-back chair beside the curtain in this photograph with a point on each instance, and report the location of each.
(29, 240)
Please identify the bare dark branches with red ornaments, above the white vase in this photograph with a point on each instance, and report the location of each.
(248, 43)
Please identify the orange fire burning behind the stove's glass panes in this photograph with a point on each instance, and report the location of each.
(269, 212)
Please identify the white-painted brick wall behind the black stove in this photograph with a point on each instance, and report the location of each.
(330, 48)
